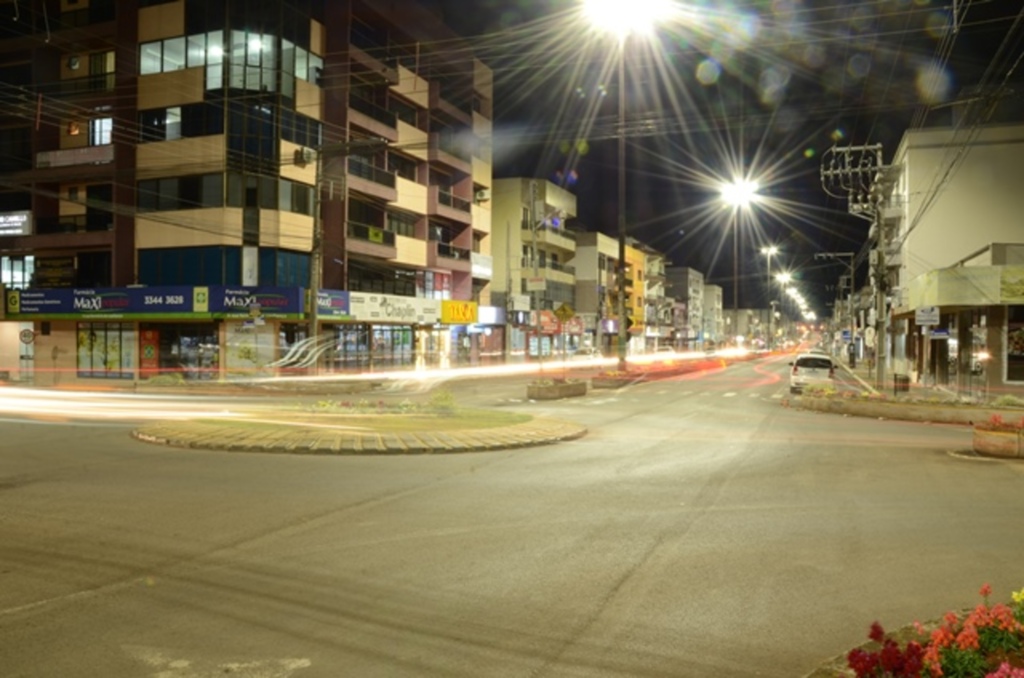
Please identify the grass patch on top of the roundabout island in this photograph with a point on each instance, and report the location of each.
(460, 420)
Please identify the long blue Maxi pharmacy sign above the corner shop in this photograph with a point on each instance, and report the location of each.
(154, 303)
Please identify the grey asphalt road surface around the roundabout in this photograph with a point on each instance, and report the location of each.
(702, 529)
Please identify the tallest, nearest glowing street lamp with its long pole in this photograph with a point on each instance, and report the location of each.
(622, 19)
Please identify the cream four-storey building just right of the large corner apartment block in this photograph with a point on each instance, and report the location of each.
(533, 250)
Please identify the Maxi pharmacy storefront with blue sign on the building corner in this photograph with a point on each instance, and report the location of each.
(195, 333)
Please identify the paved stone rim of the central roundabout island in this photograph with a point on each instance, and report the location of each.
(288, 440)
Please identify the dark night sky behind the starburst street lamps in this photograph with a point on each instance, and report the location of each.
(766, 87)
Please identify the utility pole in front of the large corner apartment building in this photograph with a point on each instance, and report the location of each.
(327, 152)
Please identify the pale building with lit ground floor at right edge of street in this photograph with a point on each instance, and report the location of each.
(958, 292)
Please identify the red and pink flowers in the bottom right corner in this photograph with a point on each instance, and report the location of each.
(985, 643)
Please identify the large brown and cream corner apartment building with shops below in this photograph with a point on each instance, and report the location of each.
(178, 175)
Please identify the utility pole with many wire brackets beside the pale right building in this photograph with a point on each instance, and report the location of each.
(860, 176)
